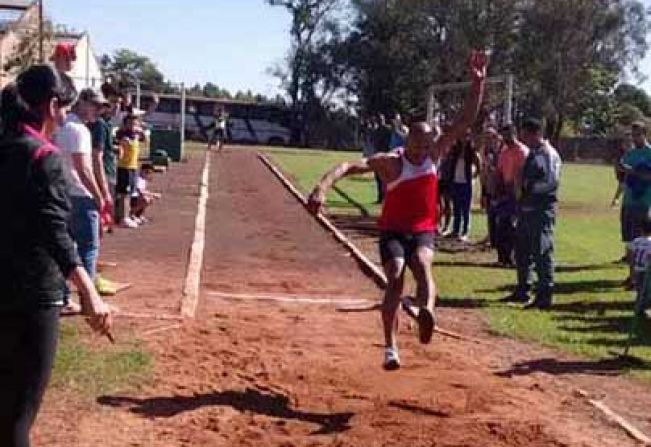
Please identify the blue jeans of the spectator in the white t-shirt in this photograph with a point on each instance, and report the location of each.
(84, 226)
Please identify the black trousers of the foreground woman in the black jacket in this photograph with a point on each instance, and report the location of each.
(28, 342)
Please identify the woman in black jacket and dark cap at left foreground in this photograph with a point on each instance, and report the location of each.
(37, 254)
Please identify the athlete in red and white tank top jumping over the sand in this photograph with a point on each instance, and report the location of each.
(409, 213)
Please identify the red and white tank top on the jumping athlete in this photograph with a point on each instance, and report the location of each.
(411, 201)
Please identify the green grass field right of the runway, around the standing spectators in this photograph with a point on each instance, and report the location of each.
(592, 311)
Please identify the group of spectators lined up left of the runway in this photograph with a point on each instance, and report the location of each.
(69, 168)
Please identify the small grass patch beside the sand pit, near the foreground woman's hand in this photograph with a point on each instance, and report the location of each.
(92, 370)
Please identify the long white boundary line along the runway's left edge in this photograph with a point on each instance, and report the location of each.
(192, 283)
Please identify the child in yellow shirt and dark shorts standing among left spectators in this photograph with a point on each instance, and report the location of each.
(129, 138)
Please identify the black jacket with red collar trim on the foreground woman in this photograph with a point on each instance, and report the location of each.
(37, 252)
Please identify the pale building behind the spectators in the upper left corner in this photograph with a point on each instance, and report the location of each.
(18, 18)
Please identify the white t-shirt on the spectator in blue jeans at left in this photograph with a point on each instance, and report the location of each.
(74, 138)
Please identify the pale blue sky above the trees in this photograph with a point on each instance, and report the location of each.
(232, 43)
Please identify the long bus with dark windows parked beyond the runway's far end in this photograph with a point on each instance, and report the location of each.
(249, 123)
